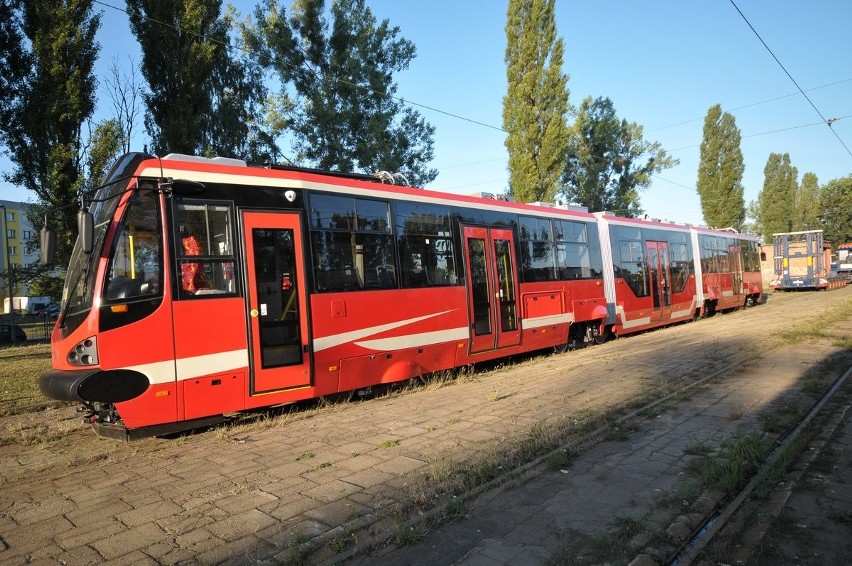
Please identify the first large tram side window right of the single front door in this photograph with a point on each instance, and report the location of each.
(351, 244)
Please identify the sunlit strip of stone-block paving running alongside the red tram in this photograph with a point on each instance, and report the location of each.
(308, 484)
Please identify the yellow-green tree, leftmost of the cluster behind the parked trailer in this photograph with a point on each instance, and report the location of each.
(777, 200)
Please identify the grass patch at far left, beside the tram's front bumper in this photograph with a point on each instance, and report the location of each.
(22, 365)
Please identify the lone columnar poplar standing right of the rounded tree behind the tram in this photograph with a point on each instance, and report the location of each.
(720, 171)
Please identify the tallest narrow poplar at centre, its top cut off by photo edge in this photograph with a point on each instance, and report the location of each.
(536, 102)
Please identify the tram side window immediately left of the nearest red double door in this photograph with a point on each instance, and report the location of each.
(426, 245)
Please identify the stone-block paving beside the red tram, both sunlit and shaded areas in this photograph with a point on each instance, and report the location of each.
(325, 478)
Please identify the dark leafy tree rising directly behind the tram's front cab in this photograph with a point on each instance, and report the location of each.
(203, 94)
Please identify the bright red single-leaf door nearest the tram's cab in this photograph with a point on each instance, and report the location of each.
(277, 304)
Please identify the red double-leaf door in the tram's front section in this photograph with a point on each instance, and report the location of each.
(492, 288)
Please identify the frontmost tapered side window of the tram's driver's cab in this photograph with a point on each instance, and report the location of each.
(136, 258)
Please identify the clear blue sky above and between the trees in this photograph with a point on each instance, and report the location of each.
(663, 63)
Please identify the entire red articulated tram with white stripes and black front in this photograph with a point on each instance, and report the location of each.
(207, 287)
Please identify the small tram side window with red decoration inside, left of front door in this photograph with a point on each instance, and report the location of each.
(205, 250)
